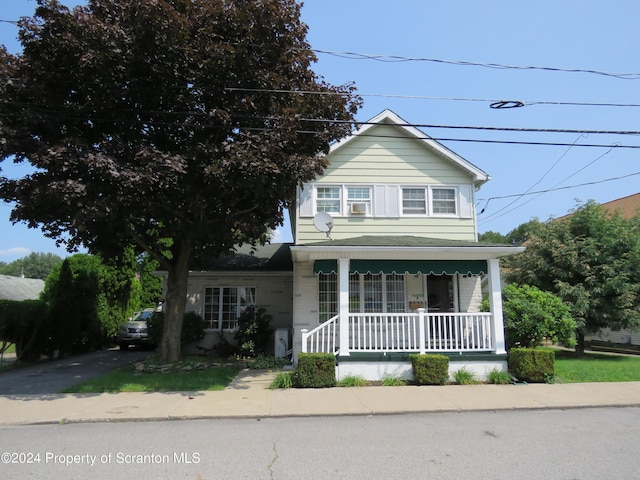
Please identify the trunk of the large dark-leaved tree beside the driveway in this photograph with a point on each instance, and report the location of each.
(174, 306)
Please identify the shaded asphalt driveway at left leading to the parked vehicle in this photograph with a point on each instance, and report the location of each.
(48, 377)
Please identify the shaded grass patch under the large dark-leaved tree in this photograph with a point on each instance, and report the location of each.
(126, 379)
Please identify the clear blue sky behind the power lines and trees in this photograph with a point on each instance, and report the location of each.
(552, 36)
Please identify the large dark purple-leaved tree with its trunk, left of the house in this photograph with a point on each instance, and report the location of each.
(173, 125)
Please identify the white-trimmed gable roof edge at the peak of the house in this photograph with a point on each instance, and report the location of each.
(387, 117)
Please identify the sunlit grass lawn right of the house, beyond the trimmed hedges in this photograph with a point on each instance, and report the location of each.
(595, 367)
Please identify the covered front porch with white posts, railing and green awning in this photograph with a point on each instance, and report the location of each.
(430, 303)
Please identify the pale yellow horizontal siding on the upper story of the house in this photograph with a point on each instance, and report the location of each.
(385, 164)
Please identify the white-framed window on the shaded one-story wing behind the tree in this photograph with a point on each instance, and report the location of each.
(223, 305)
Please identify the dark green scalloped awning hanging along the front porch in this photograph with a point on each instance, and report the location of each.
(413, 267)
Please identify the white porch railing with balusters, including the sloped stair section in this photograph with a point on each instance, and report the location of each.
(404, 332)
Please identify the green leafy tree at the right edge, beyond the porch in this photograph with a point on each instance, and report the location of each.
(589, 259)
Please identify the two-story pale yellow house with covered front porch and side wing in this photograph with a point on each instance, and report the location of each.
(385, 261)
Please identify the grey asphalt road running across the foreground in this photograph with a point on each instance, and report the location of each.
(578, 444)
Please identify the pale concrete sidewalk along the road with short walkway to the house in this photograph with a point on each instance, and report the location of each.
(248, 396)
